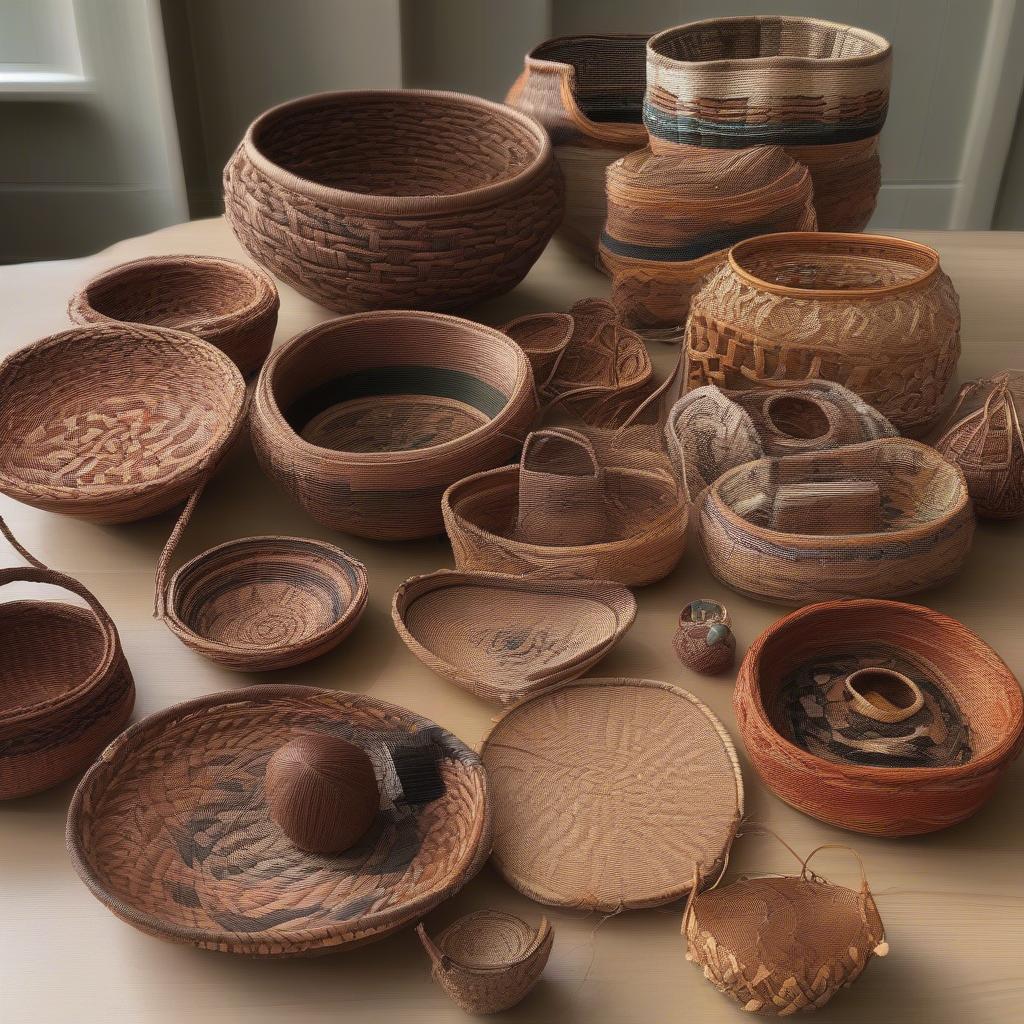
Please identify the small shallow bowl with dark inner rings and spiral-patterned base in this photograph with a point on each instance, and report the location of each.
(267, 603)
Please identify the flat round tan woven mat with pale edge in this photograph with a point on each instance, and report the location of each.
(609, 792)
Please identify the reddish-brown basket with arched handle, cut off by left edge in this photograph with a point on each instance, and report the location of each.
(65, 686)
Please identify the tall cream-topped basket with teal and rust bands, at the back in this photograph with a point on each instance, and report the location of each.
(819, 89)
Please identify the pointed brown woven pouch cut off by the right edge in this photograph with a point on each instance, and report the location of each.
(983, 436)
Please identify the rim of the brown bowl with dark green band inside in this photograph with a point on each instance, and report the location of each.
(279, 425)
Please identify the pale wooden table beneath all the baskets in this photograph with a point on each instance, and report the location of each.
(954, 903)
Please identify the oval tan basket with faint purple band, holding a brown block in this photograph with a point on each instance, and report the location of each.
(926, 532)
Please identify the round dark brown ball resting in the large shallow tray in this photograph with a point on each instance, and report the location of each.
(323, 792)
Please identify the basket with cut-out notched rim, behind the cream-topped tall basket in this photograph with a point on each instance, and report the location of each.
(588, 93)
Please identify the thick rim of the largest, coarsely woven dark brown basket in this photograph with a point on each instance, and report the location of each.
(400, 205)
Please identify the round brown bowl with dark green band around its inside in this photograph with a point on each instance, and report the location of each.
(365, 420)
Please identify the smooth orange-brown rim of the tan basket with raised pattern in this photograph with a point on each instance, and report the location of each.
(820, 242)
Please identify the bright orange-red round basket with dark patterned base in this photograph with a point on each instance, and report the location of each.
(881, 800)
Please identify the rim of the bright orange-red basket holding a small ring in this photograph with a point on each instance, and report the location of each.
(869, 775)
